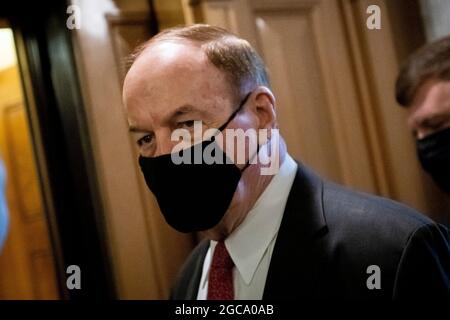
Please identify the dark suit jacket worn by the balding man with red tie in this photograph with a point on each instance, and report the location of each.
(328, 237)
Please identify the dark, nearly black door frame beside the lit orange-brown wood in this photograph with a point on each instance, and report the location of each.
(61, 143)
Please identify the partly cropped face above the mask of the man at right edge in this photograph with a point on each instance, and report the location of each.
(430, 109)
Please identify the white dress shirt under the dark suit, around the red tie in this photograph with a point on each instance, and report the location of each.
(251, 244)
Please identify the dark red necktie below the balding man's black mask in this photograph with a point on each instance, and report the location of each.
(220, 283)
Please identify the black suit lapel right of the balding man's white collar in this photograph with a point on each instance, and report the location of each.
(294, 263)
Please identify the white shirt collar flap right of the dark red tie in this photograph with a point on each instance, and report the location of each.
(248, 243)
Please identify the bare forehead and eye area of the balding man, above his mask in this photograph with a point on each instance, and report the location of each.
(170, 86)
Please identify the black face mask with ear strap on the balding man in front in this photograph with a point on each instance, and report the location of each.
(193, 197)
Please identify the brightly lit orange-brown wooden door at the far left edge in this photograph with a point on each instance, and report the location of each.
(27, 269)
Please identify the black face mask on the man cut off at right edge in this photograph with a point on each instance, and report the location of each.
(434, 155)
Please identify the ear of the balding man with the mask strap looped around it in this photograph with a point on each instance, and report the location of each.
(264, 107)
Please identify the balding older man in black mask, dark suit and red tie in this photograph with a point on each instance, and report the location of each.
(284, 235)
